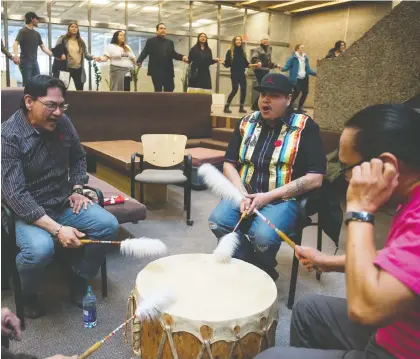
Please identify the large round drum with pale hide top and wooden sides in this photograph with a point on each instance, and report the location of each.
(223, 310)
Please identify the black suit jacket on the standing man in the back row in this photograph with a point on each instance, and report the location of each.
(161, 52)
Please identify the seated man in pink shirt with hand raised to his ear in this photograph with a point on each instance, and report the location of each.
(380, 153)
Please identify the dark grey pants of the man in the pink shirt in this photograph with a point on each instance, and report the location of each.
(320, 329)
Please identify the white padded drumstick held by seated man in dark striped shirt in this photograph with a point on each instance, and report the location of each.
(135, 247)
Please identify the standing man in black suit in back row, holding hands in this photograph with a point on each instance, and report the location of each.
(161, 51)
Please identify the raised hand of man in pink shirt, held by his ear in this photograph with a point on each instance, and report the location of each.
(371, 186)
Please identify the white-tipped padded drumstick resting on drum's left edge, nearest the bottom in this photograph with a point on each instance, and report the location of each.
(148, 310)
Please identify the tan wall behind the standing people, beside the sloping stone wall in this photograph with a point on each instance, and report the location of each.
(319, 30)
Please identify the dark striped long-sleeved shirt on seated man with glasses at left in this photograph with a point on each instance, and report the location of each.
(39, 169)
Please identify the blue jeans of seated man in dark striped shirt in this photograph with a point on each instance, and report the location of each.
(37, 245)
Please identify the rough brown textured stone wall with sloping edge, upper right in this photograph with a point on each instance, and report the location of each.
(382, 66)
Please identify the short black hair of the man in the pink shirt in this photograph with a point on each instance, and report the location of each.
(392, 128)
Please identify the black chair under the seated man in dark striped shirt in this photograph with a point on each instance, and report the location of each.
(11, 250)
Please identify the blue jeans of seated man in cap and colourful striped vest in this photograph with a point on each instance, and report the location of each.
(263, 243)
